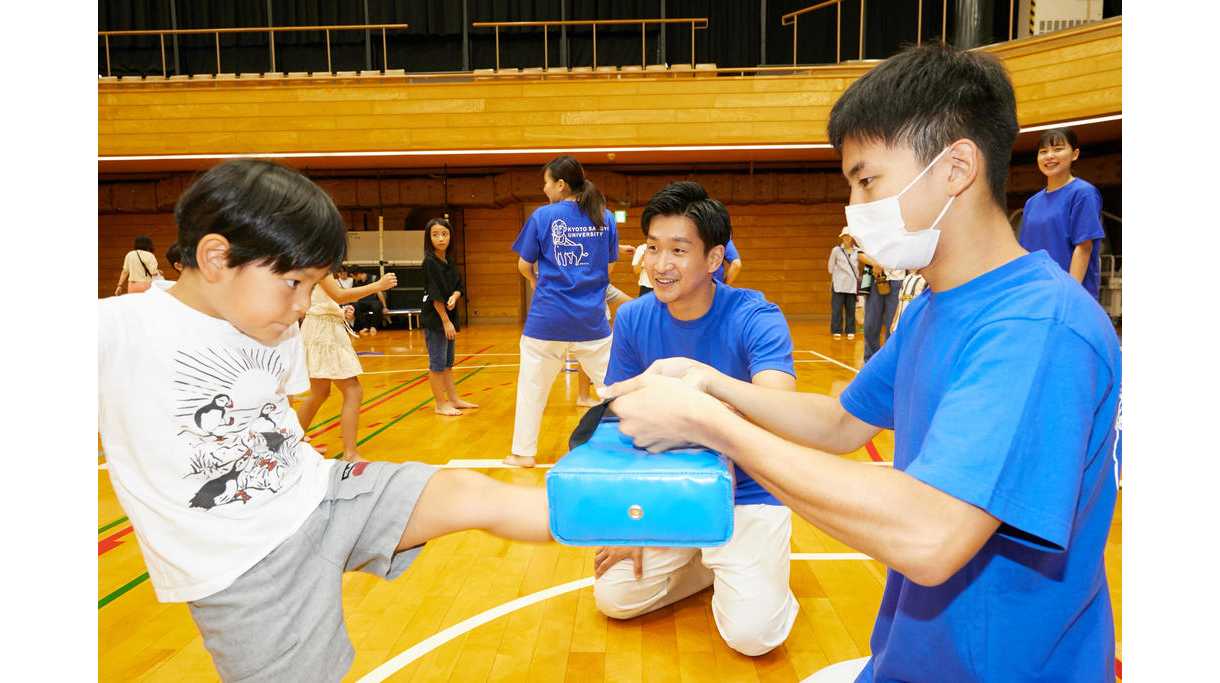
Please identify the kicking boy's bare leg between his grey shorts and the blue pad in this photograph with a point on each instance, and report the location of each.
(456, 501)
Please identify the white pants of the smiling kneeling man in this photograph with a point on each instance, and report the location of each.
(751, 601)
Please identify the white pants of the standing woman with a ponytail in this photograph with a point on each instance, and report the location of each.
(541, 362)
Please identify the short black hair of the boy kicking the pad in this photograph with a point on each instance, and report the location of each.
(270, 214)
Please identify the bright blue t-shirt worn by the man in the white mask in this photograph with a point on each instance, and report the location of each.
(1003, 393)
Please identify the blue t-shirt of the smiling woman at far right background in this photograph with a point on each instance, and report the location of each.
(1060, 221)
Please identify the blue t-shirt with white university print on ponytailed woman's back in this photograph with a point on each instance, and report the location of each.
(573, 257)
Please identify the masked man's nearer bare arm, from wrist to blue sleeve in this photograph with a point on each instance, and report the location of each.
(912, 527)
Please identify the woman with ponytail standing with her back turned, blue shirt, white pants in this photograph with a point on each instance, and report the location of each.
(573, 241)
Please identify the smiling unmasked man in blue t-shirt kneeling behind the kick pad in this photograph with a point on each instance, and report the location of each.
(746, 337)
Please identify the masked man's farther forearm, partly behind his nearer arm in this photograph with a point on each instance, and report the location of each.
(813, 420)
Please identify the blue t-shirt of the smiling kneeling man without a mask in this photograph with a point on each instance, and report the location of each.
(742, 335)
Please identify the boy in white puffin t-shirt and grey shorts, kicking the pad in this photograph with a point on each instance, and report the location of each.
(235, 513)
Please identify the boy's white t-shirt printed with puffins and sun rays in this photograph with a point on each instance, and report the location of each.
(203, 449)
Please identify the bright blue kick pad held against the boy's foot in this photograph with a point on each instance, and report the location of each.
(607, 492)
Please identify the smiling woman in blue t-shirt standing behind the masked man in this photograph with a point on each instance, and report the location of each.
(1066, 218)
